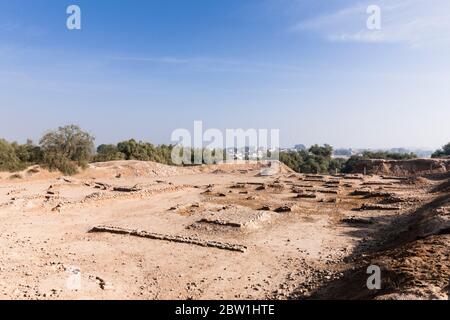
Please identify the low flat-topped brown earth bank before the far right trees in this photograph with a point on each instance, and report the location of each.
(402, 167)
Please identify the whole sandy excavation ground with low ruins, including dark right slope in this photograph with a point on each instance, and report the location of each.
(140, 230)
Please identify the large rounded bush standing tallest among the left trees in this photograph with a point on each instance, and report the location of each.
(66, 149)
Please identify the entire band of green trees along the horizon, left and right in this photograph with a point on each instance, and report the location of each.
(69, 149)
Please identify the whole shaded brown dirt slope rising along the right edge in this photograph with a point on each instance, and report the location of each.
(414, 259)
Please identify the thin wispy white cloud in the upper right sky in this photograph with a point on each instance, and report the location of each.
(413, 22)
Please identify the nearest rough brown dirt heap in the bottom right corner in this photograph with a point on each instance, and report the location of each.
(417, 270)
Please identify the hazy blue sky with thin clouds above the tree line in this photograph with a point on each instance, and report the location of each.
(310, 68)
